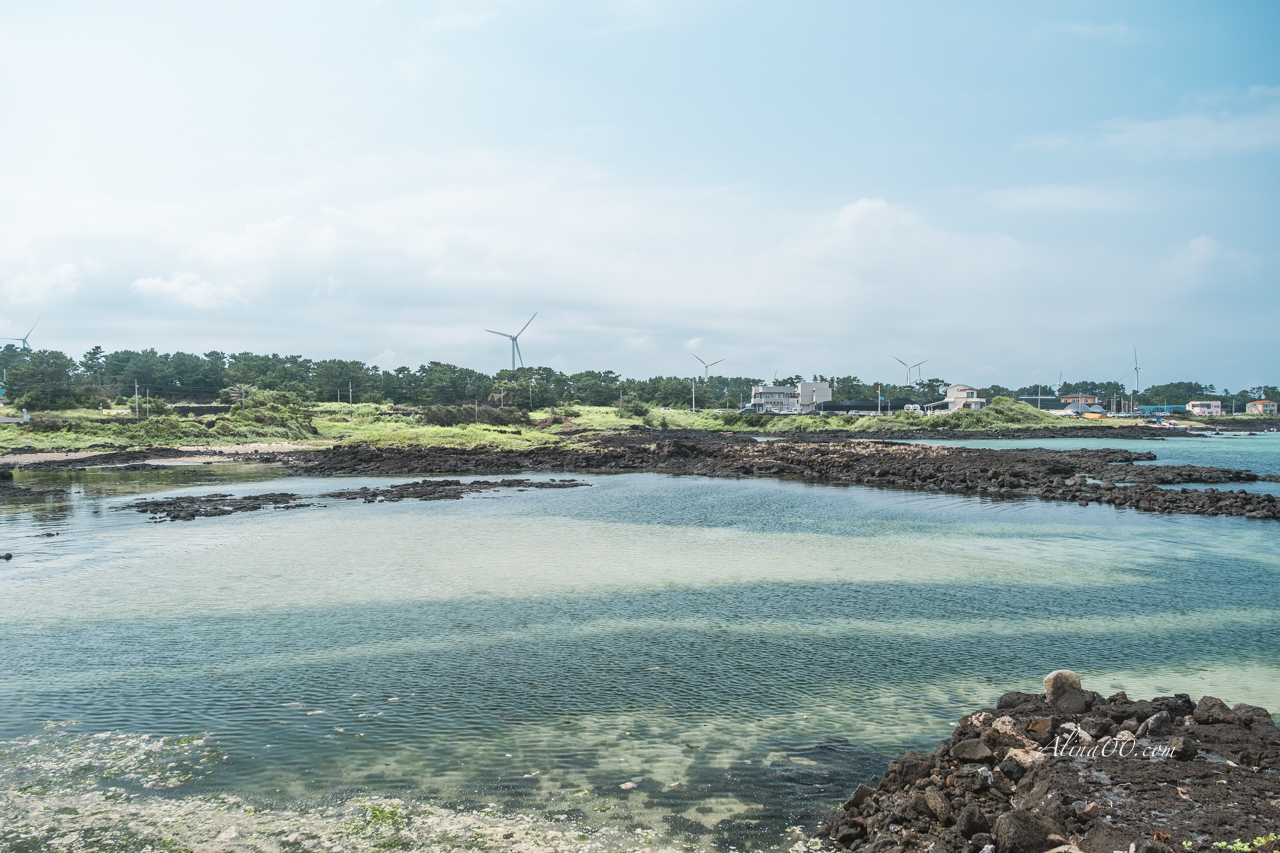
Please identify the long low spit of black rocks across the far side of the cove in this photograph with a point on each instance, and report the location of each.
(1110, 477)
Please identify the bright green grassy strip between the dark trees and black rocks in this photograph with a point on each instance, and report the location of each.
(385, 426)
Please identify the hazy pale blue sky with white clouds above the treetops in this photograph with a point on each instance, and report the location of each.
(1009, 191)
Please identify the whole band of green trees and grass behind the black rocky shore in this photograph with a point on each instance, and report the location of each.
(131, 399)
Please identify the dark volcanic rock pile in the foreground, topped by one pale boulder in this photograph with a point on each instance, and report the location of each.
(1069, 770)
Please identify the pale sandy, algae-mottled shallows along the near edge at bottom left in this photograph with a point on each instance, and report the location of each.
(65, 791)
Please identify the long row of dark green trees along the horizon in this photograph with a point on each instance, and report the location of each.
(48, 380)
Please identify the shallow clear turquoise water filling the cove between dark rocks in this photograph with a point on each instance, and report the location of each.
(715, 660)
